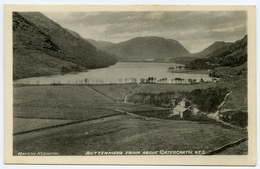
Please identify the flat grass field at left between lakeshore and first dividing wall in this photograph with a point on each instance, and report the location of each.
(60, 102)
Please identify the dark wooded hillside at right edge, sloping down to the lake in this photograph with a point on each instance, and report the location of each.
(231, 55)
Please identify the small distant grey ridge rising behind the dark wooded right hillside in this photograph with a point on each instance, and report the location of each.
(215, 46)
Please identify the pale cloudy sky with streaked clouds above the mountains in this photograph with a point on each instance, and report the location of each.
(195, 30)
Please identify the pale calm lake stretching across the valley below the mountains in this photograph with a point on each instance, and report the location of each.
(122, 72)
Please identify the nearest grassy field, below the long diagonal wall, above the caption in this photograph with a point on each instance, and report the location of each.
(126, 133)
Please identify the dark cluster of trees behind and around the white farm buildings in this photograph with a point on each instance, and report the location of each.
(206, 99)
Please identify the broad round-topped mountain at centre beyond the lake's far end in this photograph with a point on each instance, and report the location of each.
(150, 47)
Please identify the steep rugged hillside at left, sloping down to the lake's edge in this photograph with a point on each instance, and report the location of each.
(42, 47)
